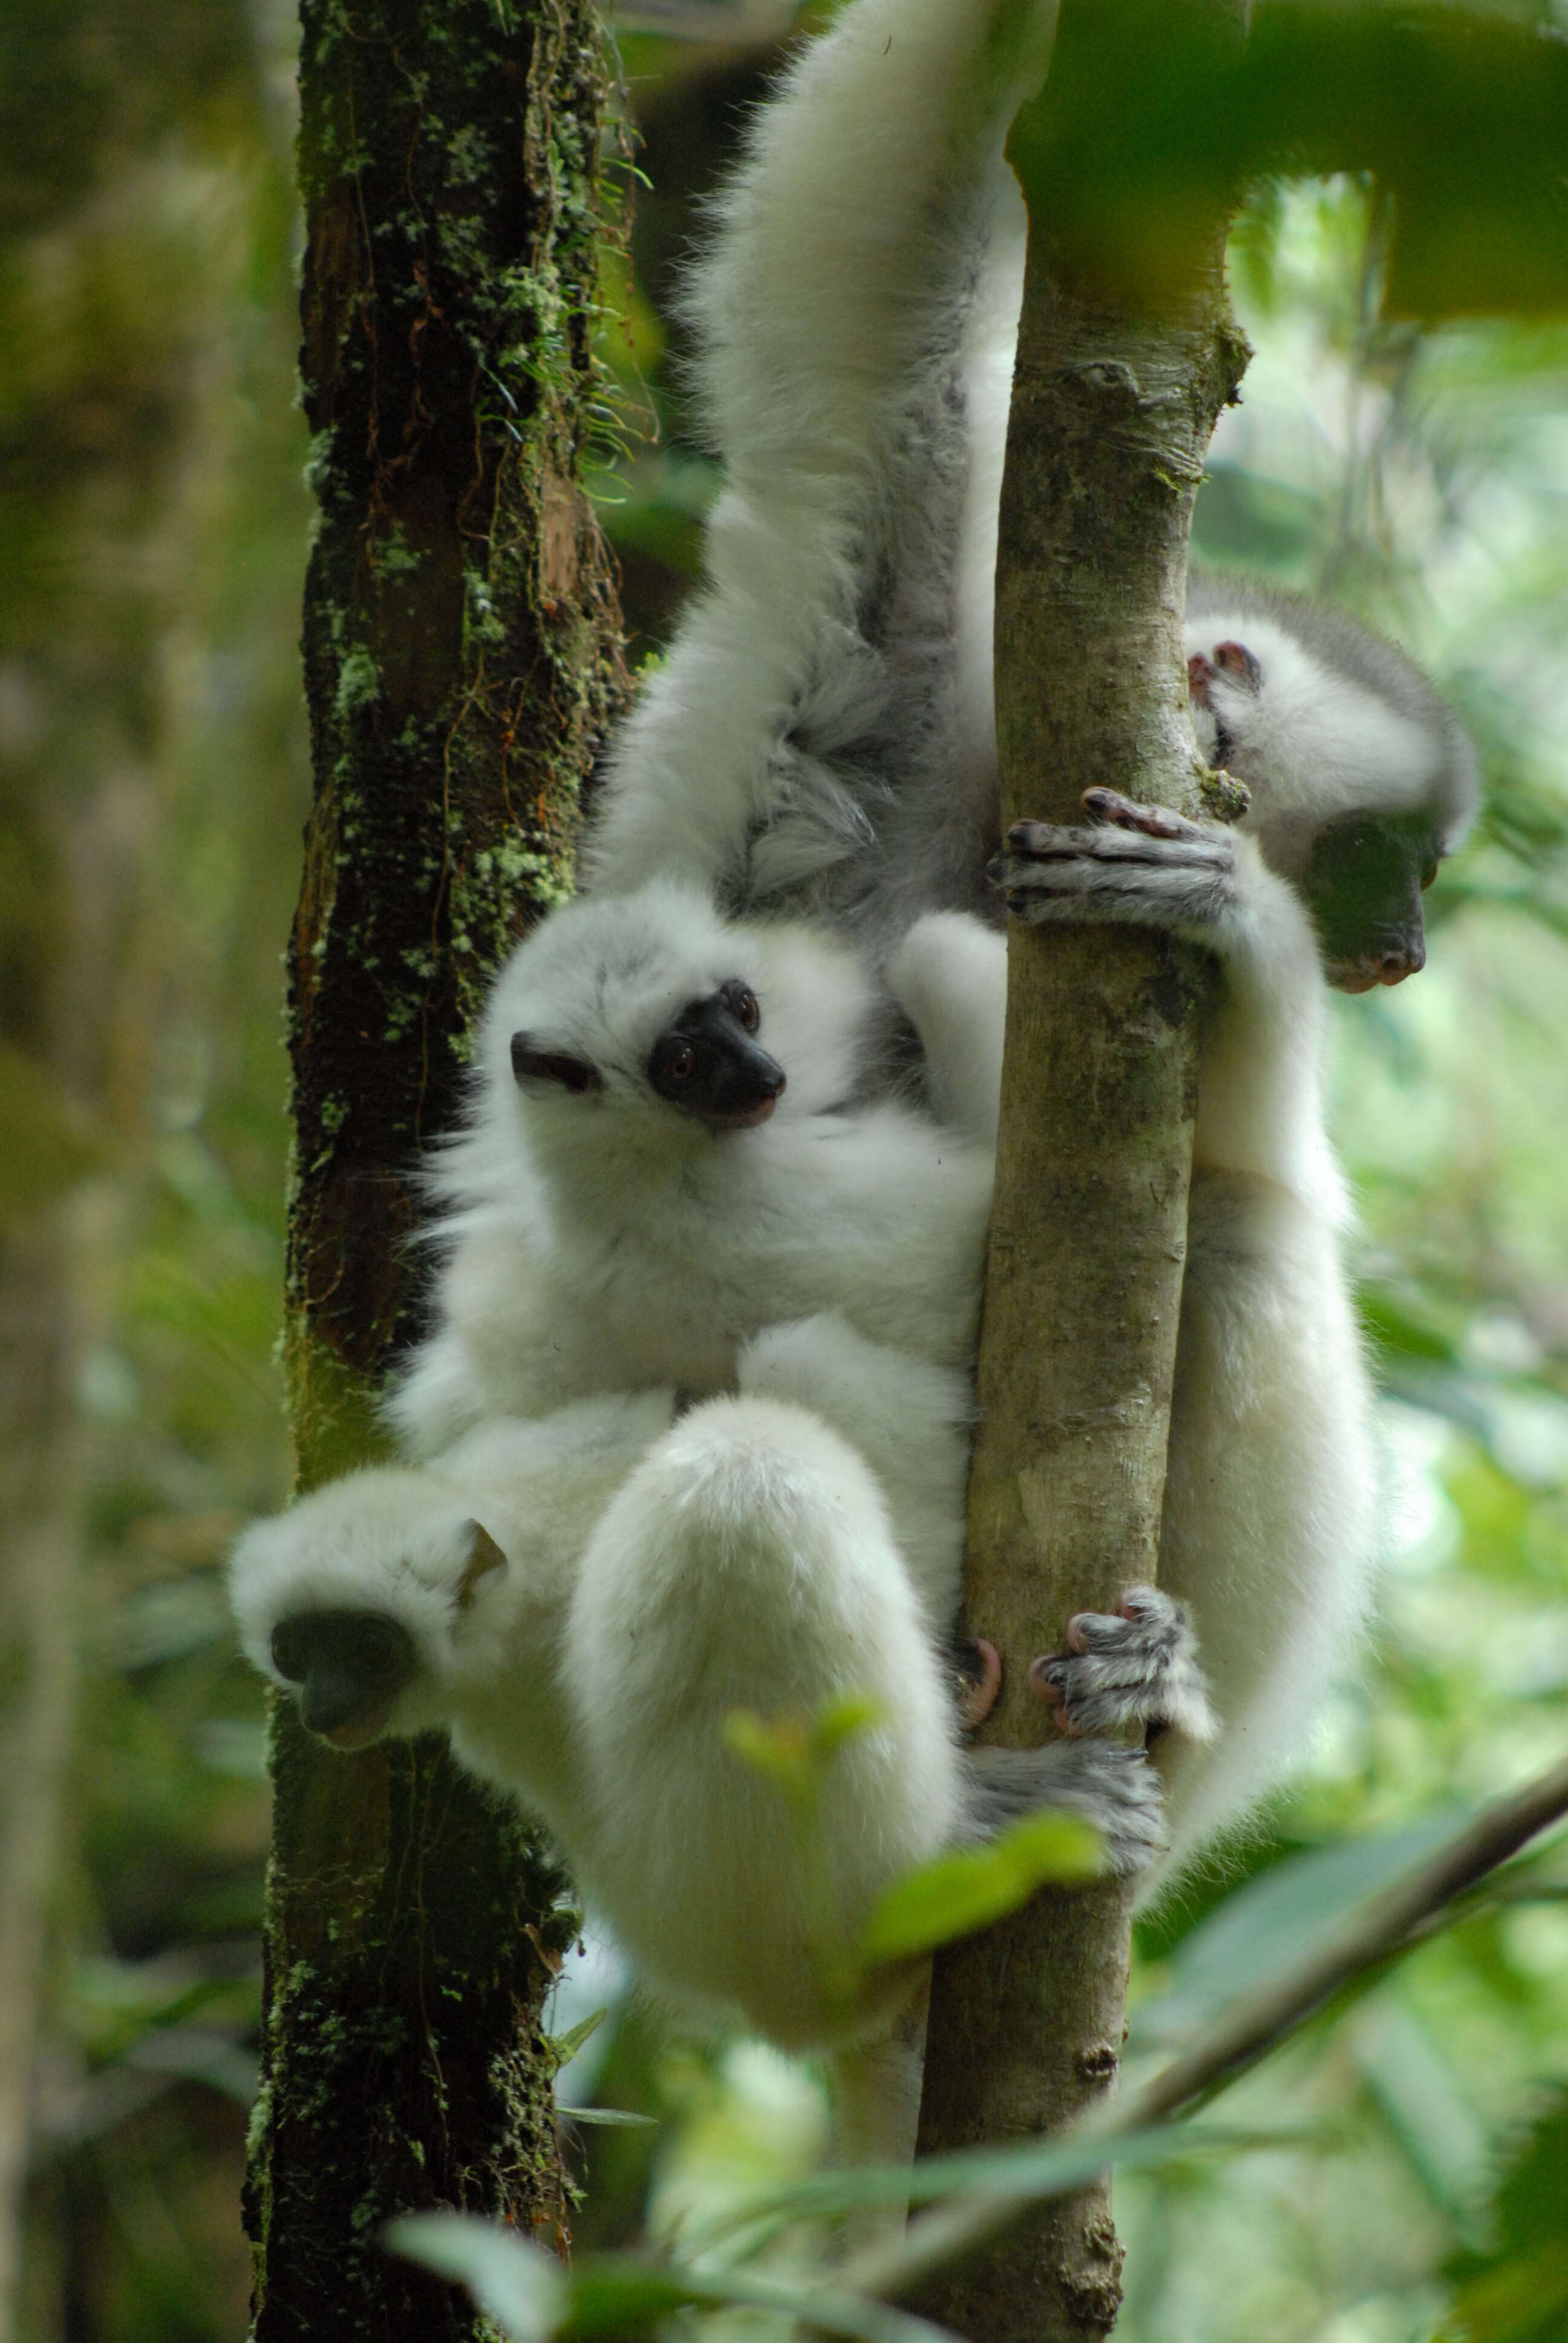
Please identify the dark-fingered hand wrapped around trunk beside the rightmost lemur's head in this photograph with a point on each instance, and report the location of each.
(1143, 866)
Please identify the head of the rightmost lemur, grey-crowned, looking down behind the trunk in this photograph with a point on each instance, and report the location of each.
(1361, 774)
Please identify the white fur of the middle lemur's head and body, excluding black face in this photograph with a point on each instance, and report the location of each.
(606, 1241)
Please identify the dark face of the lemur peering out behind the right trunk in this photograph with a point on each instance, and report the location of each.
(1365, 889)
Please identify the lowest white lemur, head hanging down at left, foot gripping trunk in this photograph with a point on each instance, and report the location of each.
(585, 1599)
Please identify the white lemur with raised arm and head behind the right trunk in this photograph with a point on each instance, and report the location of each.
(822, 744)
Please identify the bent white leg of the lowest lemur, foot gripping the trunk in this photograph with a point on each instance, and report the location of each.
(749, 1566)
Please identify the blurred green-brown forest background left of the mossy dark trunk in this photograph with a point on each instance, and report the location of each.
(151, 784)
